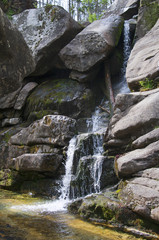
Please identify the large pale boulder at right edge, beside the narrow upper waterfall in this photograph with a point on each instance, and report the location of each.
(143, 62)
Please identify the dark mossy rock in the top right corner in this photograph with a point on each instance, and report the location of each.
(147, 17)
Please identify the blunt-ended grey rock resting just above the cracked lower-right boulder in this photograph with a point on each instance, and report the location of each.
(138, 160)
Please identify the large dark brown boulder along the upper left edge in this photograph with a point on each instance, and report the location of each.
(15, 64)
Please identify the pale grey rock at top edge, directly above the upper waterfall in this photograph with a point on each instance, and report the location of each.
(124, 8)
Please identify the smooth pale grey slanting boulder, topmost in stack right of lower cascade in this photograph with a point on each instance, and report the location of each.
(132, 122)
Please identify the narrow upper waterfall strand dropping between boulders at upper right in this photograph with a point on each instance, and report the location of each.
(122, 86)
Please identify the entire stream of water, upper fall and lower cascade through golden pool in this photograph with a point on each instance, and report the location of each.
(24, 217)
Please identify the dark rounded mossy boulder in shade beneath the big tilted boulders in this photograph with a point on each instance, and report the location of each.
(62, 96)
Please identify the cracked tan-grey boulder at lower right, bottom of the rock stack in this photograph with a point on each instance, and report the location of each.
(141, 193)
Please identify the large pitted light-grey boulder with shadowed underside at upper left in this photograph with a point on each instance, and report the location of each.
(46, 31)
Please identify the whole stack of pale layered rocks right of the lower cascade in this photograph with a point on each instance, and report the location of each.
(133, 136)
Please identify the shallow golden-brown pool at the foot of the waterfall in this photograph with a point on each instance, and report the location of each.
(18, 223)
